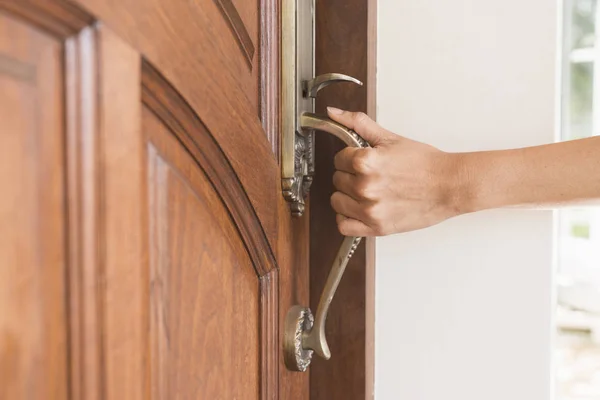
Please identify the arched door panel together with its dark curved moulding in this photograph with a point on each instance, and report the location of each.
(243, 310)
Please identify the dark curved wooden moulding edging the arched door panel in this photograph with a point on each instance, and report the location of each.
(172, 111)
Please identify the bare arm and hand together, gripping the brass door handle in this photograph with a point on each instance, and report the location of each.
(401, 185)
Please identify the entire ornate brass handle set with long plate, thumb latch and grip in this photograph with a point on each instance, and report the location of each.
(304, 334)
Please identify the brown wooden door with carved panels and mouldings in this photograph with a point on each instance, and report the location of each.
(146, 249)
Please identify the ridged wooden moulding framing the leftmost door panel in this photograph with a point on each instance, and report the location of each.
(64, 20)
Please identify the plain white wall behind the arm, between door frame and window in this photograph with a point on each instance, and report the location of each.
(464, 310)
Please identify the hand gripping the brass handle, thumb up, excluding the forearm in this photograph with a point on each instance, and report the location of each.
(397, 185)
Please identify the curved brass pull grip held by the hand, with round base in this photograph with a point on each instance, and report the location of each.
(305, 334)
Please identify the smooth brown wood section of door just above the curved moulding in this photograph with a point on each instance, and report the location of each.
(197, 54)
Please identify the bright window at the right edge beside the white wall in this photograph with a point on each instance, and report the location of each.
(578, 291)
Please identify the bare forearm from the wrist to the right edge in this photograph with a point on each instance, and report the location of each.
(550, 175)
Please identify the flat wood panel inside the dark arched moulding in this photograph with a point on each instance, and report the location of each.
(204, 300)
